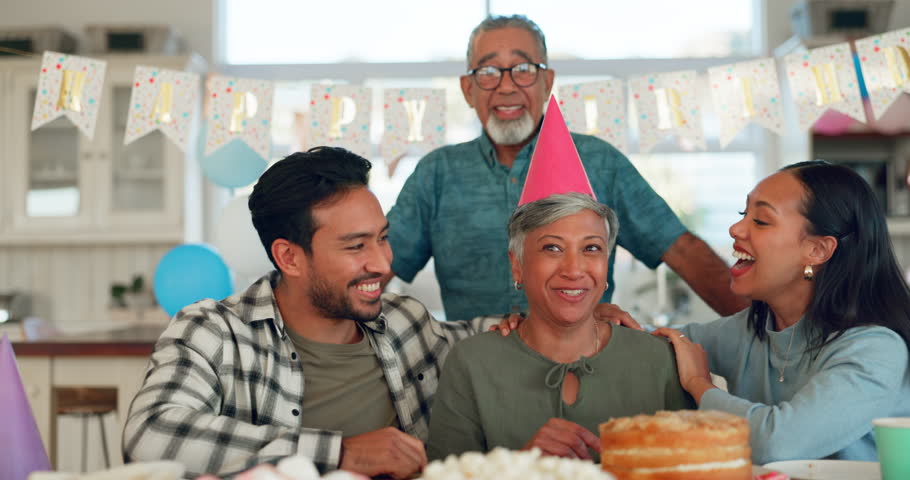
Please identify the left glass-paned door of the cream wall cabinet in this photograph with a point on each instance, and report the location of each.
(49, 168)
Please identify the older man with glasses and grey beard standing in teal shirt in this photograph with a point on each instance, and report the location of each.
(455, 205)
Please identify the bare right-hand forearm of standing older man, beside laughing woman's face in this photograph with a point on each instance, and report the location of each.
(693, 260)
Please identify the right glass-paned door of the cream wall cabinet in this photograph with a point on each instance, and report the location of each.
(143, 181)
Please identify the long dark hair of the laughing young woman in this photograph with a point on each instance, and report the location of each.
(861, 284)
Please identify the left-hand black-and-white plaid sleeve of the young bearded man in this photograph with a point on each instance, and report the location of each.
(185, 412)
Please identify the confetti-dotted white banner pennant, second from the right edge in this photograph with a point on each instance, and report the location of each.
(824, 78)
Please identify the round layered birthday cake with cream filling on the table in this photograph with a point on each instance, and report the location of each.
(681, 445)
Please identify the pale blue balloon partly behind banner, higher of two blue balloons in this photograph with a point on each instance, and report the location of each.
(235, 165)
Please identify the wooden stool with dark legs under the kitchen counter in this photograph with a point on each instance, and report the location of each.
(87, 402)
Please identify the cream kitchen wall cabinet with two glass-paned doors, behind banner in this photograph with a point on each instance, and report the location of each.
(59, 186)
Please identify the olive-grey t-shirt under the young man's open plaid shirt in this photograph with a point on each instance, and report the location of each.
(344, 388)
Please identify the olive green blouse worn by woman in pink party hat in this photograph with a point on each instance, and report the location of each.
(497, 392)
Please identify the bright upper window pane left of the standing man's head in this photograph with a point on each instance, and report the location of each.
(291, 31)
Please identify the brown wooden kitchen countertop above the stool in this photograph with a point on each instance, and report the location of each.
(136, 340)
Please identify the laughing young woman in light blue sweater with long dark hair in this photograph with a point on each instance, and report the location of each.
(824, 348)
